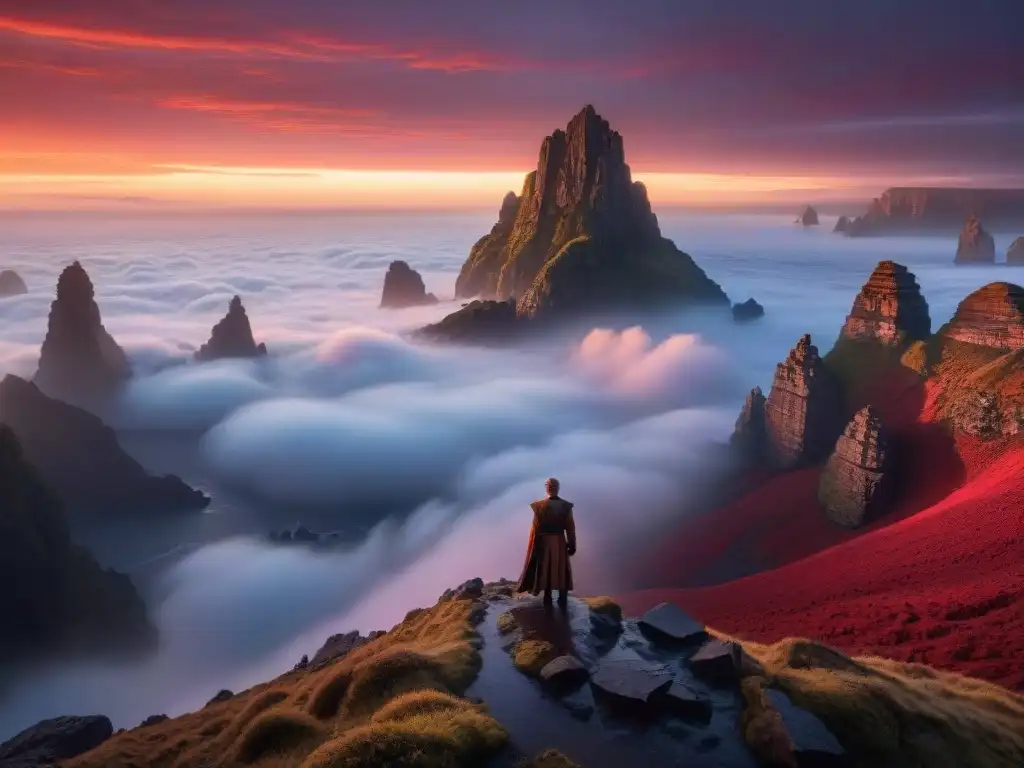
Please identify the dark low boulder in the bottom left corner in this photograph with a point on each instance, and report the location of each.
(52, 741)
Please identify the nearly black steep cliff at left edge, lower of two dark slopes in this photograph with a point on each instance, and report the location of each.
(56, 596)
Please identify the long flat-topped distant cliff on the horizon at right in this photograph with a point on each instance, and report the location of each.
(915, 210)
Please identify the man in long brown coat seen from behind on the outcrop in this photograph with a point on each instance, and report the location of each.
(552, 542)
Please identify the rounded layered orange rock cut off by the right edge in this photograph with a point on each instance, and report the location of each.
(992, 317)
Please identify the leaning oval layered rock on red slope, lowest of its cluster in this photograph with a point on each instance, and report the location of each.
(858, 483)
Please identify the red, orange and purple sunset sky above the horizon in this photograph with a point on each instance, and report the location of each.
(398, 103)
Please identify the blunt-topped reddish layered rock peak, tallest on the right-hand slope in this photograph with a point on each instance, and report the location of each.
(889, 310)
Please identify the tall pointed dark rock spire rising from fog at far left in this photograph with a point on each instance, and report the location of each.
(79, 361)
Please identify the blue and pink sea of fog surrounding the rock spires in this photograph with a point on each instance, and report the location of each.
(423, 458)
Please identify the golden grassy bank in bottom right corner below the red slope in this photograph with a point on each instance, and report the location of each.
(889, 713)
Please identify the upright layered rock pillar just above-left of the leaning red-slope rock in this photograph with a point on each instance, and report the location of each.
(804, 411)
